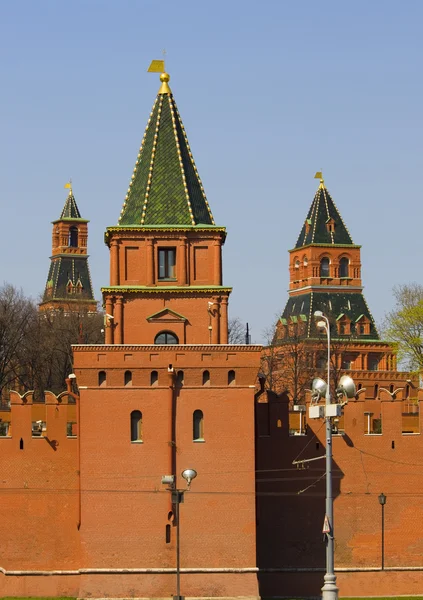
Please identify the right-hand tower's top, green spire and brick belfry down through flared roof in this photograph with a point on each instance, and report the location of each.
(325, 274)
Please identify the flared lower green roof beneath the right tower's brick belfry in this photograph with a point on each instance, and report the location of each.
(333, 305)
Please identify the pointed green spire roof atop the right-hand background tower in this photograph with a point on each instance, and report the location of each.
(315, 229)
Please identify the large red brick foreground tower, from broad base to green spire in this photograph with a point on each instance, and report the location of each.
(166, 393)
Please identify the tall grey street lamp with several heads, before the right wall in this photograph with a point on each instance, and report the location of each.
(320, 389)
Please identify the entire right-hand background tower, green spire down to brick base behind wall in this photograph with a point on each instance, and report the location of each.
(325, 275)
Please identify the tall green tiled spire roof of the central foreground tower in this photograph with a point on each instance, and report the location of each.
(165, 187)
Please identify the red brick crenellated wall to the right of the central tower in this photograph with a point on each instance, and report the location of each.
(291, 500)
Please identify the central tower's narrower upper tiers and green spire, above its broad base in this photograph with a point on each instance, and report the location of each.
(165, 252)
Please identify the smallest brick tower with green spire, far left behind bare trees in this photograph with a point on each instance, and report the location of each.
(69, 282)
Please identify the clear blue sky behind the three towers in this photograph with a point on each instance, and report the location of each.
(269, 93)
